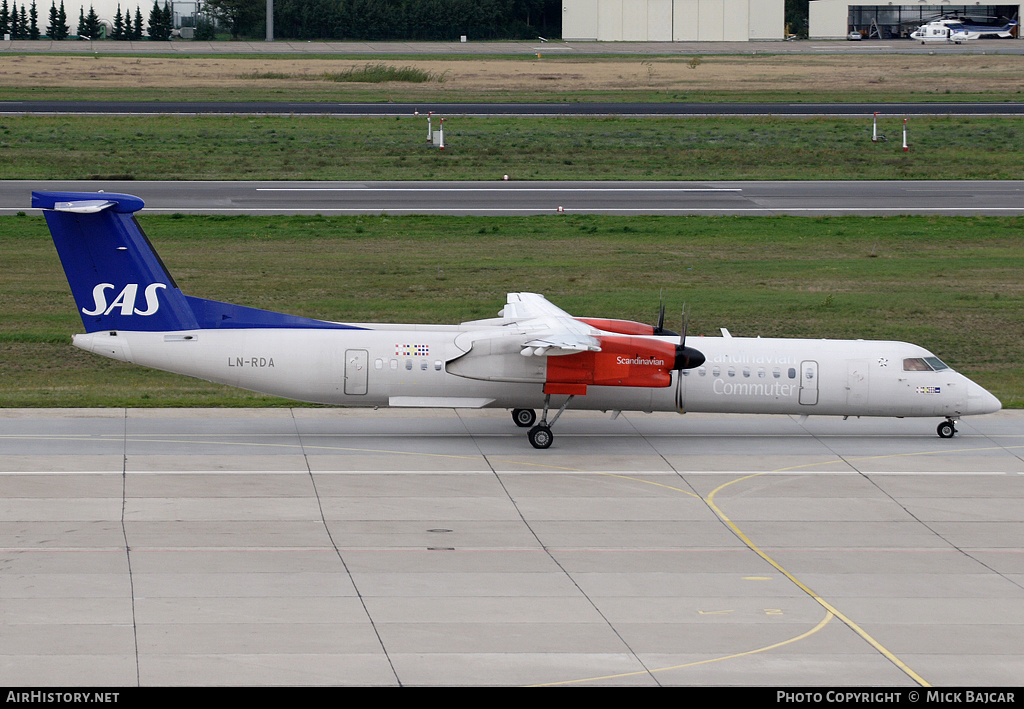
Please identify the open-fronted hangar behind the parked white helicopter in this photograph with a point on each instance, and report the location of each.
(837, 19)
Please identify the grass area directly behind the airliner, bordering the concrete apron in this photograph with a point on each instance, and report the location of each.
(953, 285)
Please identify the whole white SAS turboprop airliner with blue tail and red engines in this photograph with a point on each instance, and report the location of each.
(533, 356)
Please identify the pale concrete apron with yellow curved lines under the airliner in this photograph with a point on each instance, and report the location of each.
(435, 548)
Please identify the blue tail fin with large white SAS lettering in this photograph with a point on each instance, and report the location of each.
(118, 281)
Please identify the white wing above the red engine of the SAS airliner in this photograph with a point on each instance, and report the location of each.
(551, 331)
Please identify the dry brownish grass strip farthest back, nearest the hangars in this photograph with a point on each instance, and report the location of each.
(553, 77)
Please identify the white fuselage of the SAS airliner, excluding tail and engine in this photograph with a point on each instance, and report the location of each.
(414, 365)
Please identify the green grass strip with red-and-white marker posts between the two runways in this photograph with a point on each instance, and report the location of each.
(549, 148)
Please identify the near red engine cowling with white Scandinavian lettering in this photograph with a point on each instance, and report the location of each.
(622, 362)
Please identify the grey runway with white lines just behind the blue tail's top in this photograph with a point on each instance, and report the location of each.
(525, 198)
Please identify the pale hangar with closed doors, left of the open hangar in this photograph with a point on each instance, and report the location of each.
(673, 21)
